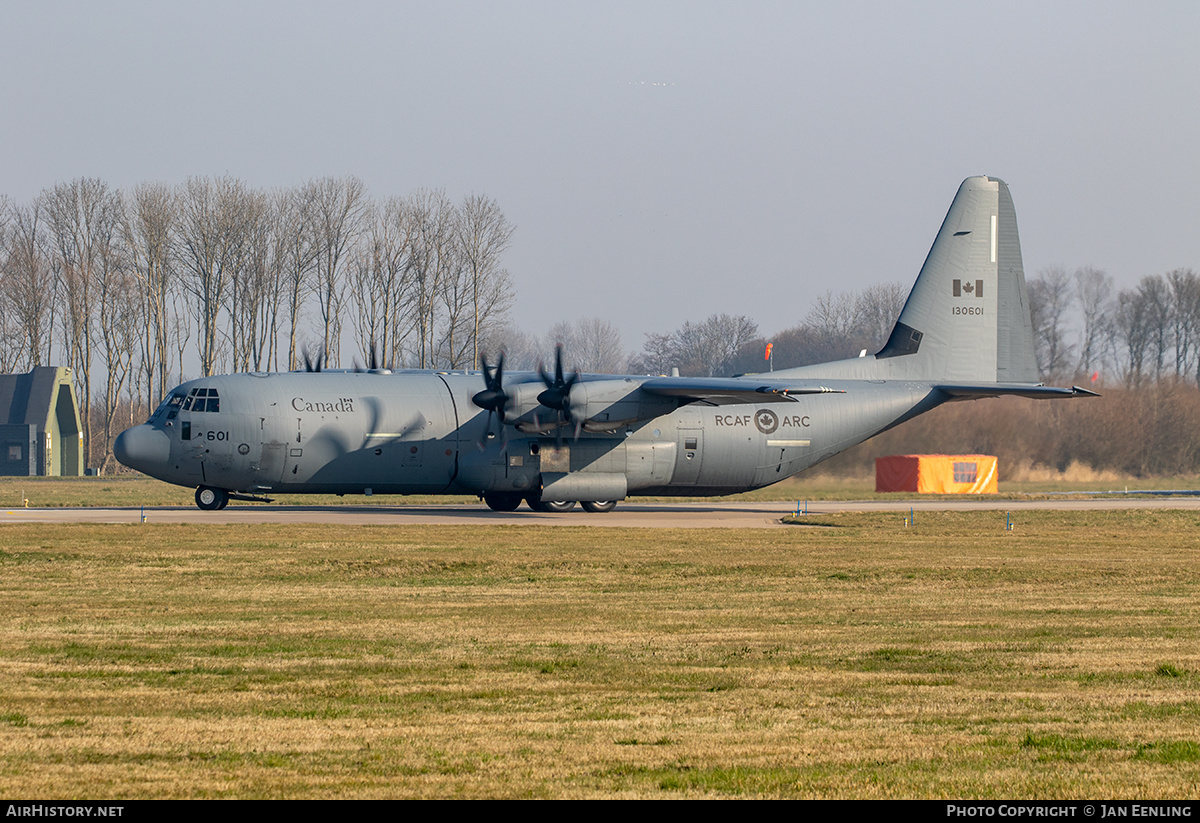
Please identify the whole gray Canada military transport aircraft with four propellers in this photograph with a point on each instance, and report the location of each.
(555, 441)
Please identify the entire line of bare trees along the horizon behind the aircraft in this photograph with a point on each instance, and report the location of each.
(127, 287)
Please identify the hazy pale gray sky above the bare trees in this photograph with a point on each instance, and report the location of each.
(662, 161)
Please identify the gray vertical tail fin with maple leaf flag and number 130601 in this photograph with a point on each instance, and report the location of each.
(968, 317)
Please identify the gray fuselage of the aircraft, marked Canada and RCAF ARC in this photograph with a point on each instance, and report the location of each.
(419, 432)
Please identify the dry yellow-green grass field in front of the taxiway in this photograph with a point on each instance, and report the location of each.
(849, 658)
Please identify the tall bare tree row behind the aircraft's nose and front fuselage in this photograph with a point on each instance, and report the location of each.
(125, 286)
